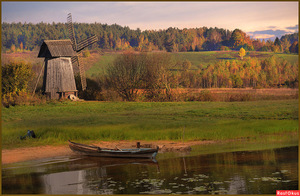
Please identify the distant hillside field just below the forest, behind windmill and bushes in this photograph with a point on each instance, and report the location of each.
(97, 62)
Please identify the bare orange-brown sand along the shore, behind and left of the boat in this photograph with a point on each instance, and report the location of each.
(33, 153)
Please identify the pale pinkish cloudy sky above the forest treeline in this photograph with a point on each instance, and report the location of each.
(259, 19)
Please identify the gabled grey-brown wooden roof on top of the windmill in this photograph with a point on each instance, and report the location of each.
(56, 48)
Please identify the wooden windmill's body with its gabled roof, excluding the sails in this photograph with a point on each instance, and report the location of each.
(59, 81)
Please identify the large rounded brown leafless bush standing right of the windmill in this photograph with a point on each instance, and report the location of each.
(148, 71)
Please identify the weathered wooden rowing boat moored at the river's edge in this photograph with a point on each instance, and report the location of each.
(91, 150)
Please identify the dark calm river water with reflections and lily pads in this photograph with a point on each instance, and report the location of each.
(209, 169)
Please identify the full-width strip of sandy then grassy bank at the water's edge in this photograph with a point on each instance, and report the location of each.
(48, 151)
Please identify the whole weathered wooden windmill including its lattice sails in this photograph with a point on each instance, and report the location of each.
(60, 55)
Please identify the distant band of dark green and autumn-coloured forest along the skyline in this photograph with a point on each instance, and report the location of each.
(23, 36)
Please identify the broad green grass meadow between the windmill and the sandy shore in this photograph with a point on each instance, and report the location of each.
(89, 121)
